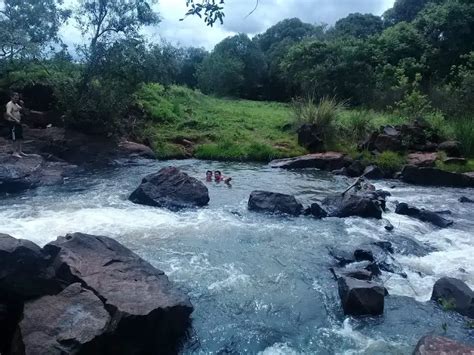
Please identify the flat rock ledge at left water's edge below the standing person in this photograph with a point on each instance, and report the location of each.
(17, 175)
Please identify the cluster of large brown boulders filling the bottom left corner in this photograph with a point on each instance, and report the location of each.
(84, 294)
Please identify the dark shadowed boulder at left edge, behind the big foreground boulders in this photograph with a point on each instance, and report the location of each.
(24, 270)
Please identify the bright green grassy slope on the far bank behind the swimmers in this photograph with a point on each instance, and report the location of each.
(181, 121)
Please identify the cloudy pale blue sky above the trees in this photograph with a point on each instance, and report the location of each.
(193, 32)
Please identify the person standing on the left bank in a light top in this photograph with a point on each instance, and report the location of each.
(14, 110)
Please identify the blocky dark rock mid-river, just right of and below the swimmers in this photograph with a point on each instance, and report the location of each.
(271, 202)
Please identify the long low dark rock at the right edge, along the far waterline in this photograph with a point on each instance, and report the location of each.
(435, 177)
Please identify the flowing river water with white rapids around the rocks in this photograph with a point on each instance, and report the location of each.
(259, 283)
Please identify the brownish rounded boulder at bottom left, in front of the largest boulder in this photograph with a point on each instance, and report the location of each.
(72, 322)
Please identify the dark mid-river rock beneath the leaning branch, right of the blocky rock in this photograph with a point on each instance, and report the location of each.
(365, 205)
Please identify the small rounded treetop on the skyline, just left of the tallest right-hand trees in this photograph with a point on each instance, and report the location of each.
(358, 25)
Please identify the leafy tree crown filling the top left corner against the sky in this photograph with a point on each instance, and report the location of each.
(27, 25)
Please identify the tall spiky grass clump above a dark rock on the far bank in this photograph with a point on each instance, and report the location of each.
(323, 114)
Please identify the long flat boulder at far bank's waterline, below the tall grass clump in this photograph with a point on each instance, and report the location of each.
(328, 161)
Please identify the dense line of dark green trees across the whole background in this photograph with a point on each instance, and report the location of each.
(417, 57)
